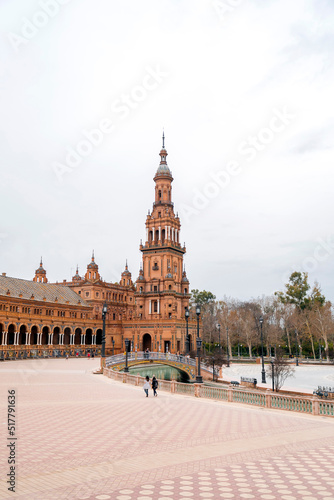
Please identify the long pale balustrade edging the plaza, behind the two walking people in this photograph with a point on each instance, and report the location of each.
(301, 404)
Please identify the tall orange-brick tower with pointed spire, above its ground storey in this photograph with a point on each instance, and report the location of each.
(162, 287)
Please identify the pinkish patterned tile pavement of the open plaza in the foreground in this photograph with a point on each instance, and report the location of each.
(83, 436)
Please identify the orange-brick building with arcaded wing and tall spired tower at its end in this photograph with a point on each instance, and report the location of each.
(40, 318)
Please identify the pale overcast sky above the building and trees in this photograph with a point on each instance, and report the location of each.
(244, 92)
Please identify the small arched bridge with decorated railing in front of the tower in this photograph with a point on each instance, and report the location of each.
(182, 363)
